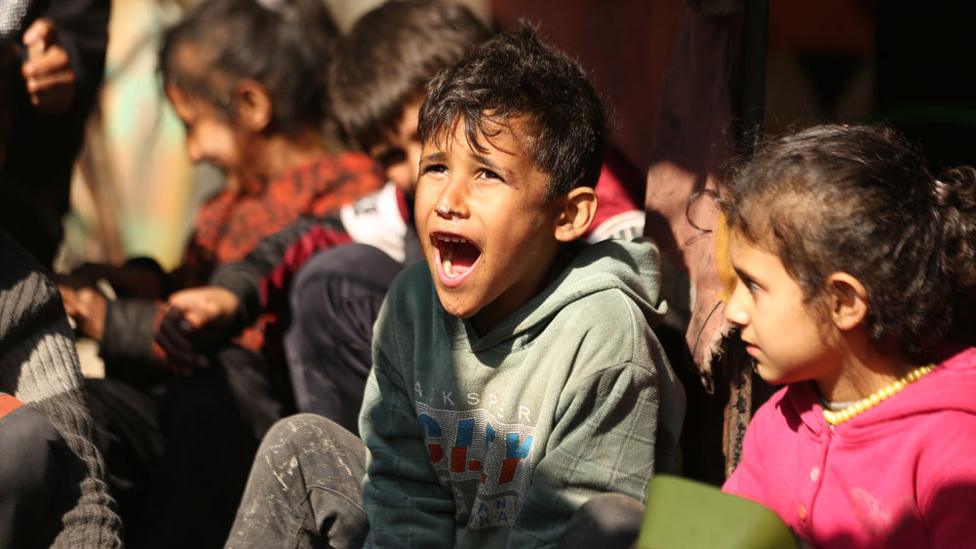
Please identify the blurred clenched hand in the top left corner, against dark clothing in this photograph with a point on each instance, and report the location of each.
(51, 82)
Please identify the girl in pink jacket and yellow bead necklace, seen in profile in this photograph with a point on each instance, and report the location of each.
(854, 265)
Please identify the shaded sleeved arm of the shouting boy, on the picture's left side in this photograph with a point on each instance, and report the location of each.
(405, 503)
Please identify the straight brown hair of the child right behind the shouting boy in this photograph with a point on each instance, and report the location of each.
(388, 57)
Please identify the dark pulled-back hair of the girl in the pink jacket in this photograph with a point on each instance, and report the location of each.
(859, 199)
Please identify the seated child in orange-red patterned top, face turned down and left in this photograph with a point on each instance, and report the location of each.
(248, 79)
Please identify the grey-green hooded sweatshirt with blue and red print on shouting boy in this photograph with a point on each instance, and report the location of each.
(494, 440)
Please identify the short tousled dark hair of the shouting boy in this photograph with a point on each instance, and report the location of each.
(513, 76)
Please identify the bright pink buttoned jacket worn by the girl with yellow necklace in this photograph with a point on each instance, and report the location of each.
(901, 474)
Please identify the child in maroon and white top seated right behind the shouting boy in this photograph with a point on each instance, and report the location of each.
(333, 296)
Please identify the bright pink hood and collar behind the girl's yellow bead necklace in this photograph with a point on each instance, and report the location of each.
(949, 387)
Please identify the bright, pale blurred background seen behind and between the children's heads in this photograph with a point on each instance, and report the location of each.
(134, 190)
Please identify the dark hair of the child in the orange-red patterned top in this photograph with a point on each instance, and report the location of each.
(284, 45)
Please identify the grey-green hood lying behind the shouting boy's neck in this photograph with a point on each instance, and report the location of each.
(630, 267)
